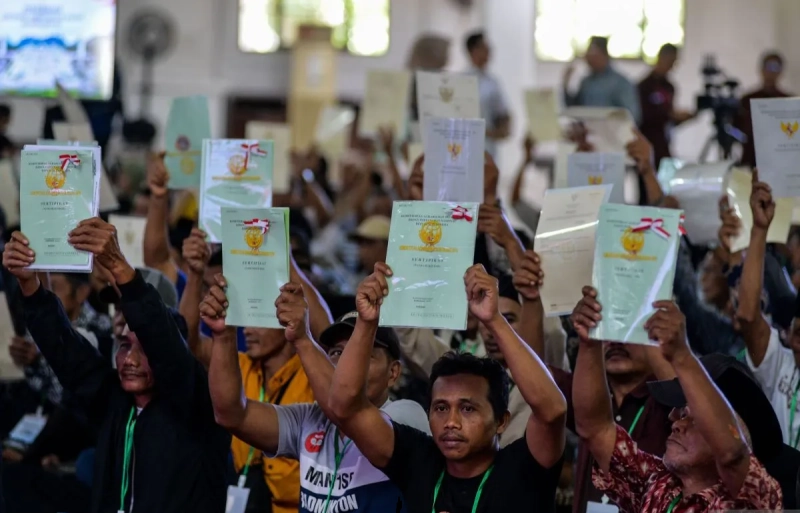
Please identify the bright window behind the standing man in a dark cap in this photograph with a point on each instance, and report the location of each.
(636, 29)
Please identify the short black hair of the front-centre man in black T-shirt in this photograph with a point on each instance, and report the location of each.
(456, 362)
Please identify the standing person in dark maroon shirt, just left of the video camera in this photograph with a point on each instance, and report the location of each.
(656, 94)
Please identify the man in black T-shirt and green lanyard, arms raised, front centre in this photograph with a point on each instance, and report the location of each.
(459, 468)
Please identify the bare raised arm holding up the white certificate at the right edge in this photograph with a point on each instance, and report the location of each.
(755, 328)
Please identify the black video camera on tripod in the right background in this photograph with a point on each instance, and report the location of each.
(720, 97)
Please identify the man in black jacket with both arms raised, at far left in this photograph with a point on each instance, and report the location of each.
(157, 440)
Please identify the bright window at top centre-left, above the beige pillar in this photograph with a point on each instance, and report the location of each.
(360, 27)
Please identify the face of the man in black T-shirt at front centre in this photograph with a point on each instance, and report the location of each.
(461, 417)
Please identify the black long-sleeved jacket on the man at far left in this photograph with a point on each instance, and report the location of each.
(180, 453)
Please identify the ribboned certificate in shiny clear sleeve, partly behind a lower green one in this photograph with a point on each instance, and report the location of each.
(236, 173)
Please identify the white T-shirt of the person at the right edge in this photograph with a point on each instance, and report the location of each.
(780, 379)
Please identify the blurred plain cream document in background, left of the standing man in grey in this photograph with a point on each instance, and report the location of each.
(385, 102)
